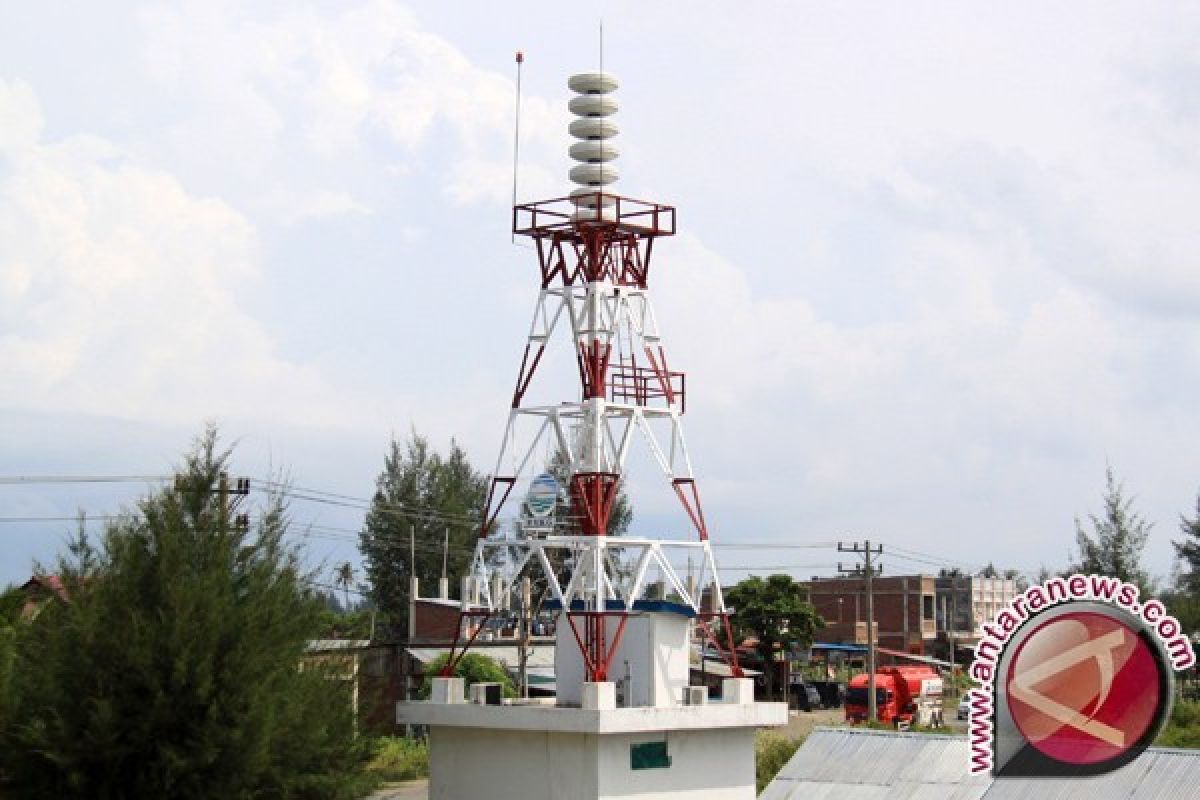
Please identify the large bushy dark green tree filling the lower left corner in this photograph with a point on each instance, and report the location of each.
(173, 670)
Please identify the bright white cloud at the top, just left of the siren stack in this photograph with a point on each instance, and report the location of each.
(326, 87)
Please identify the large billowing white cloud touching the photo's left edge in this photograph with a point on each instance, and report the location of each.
(122, 290)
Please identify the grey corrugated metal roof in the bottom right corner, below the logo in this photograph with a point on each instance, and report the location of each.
(857, 765)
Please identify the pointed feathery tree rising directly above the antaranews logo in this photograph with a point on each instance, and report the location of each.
(1118, 540)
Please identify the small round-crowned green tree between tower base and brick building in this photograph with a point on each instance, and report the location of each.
(776, 612)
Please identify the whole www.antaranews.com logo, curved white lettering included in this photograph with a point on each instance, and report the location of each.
(1076, 678)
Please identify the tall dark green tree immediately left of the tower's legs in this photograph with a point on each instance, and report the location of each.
(416, 480)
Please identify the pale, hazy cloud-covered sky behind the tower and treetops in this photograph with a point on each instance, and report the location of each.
(938, 263)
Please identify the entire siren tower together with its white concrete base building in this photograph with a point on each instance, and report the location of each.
(627, 606)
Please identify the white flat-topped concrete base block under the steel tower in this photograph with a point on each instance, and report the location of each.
(539, 753)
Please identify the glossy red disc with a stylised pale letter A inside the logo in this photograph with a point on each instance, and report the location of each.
(1084, 688)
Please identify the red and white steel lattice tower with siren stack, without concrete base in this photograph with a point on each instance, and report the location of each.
(595, 251)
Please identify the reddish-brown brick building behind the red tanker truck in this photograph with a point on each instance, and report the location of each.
(905, 611)
